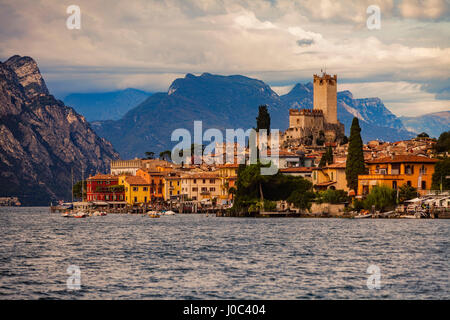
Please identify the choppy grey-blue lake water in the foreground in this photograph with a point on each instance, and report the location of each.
(199, 257)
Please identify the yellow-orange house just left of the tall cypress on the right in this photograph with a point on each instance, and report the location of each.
(330, 177)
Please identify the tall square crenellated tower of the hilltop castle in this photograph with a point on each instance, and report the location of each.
(325, 96)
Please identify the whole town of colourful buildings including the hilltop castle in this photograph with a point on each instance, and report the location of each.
(310, 134)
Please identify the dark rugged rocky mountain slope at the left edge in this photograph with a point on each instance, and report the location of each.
(41, 139)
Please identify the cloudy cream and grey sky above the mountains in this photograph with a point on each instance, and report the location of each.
(146, 44)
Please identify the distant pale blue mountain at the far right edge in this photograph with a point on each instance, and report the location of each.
(431, 123)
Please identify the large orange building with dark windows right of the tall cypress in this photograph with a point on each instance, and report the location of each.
(396, 171)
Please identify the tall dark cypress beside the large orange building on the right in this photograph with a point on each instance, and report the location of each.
(355, 157)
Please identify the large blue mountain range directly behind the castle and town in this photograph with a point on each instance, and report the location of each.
(232, 102)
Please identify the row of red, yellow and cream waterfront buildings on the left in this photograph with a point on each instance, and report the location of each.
(139, 181)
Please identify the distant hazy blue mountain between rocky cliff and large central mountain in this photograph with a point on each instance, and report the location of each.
(105, 105)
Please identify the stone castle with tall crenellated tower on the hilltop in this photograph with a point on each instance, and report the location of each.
(319, 125)
